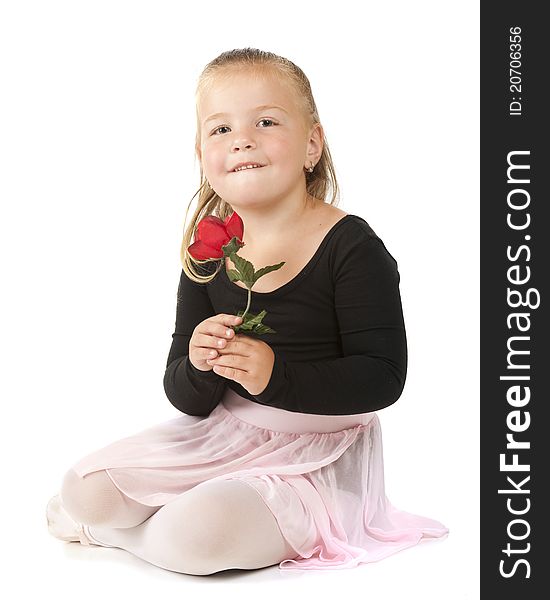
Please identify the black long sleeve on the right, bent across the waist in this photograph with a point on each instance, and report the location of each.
(371, 373)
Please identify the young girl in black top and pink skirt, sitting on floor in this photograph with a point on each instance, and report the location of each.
(277, 455)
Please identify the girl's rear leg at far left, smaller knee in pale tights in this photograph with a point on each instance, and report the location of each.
(95, 500)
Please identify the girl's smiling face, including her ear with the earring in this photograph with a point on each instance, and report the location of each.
(257, 120)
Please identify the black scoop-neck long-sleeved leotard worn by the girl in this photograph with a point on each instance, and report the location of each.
(340, 343)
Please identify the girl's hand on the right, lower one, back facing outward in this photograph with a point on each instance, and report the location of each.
(247, 361)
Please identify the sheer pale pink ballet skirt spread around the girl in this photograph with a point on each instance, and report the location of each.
(322, 476)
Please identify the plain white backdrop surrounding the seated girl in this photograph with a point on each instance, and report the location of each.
(97, 168)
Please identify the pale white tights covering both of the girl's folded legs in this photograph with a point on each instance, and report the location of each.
(215, 526)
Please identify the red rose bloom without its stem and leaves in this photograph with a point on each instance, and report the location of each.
(213, 233)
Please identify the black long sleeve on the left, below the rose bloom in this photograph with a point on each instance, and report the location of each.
(190, 390)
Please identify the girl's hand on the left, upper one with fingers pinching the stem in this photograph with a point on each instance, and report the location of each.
(206, 338)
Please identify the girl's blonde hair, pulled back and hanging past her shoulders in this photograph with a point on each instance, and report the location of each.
(319, 183)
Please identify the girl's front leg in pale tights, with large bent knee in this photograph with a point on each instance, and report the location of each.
(215, 526)
